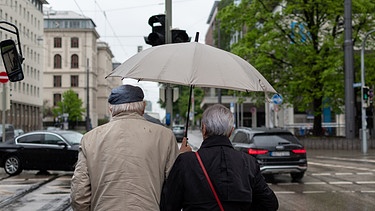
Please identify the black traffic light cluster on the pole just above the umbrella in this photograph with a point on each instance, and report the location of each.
(157, 36)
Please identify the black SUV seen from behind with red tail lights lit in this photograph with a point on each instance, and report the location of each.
(277, 151)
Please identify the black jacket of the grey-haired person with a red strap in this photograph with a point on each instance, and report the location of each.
(235, 175)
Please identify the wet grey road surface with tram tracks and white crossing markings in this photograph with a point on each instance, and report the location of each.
(335, 180)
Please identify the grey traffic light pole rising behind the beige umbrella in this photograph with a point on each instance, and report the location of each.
(168, 39)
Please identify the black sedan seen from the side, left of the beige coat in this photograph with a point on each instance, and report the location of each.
(41, 150)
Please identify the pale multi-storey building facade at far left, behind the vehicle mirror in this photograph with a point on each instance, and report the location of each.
(25, 97)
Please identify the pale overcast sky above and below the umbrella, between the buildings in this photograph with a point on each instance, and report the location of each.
(124, 23)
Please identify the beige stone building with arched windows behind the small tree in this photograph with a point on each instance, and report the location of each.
(75, 59)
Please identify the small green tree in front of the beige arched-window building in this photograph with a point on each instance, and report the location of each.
(72, 105)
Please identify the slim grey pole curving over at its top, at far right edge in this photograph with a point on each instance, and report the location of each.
(364, 122)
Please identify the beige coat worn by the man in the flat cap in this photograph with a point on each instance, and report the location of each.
(122, 165)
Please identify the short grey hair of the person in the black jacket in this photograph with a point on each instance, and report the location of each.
(218, 120)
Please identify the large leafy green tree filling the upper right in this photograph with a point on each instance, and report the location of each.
(298, 46)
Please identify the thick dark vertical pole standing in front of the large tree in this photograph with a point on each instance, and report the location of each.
(349, 90)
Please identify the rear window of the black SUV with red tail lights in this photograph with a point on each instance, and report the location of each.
(274, 139)
